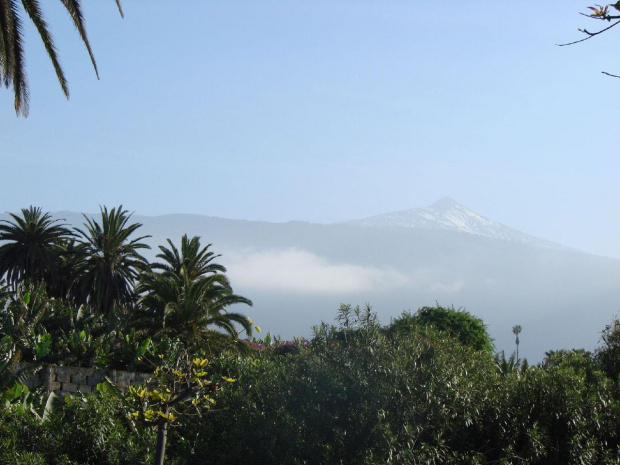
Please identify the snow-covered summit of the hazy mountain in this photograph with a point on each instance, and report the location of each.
(449, 215)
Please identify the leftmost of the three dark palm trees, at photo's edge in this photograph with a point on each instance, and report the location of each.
(32, 250)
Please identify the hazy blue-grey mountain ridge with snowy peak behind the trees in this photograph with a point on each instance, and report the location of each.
(297, 273)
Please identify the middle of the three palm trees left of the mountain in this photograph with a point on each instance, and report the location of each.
(111, 261)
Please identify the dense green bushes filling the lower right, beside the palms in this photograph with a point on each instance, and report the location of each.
(357, 394)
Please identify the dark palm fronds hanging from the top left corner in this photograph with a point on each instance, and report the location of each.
(12, 65)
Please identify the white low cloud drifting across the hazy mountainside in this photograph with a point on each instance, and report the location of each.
(299, 271)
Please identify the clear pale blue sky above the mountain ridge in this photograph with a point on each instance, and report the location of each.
(325, 111)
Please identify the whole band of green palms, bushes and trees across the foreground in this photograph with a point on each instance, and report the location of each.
(427, 388)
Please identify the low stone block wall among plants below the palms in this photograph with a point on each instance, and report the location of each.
(66, 380)
